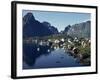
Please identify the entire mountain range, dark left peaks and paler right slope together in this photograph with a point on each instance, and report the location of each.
(33, 28)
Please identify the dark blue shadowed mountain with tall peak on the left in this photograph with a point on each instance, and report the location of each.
(32, 27)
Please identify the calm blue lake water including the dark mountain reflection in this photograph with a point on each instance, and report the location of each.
(47, 57)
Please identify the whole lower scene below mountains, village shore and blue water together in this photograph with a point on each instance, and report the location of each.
(56, 51)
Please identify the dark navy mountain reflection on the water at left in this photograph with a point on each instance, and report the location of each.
(31, 53)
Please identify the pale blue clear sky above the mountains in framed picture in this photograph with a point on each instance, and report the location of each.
(59, 19)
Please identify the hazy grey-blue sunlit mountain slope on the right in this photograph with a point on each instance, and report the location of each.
(79, 30)
